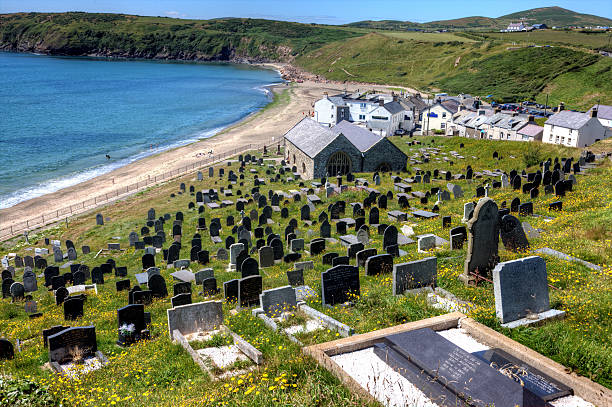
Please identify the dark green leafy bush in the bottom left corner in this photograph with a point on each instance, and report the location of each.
(22, 392)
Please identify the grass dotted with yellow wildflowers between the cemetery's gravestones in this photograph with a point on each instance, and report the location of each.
(158, 372)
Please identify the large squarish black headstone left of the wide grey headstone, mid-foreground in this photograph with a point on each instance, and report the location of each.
(339, 284)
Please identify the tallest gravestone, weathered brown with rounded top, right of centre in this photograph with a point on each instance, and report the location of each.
(483, 241)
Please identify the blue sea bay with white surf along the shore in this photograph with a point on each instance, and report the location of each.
(59, 117)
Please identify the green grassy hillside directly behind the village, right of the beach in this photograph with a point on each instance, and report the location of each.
(479, 68)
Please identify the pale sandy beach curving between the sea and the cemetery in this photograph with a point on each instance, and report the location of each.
(259, 128)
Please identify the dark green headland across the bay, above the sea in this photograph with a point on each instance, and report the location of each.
(159, 37)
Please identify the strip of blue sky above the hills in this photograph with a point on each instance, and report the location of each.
(319, 11)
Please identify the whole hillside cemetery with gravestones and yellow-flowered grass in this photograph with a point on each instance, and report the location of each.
(475, 276)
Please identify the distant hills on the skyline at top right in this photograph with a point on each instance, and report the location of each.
(552, 16)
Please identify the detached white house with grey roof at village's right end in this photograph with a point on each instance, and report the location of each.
(573, 129)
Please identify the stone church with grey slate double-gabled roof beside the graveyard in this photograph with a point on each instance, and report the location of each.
(318, 151)
